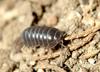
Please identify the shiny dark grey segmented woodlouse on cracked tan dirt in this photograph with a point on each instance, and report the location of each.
(42, 36)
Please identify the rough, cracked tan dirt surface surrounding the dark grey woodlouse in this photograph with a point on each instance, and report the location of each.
(79, 19)
